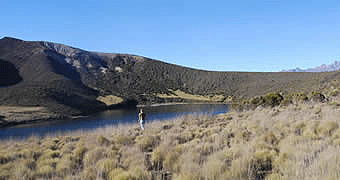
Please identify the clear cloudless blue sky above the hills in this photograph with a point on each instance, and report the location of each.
(229, 35)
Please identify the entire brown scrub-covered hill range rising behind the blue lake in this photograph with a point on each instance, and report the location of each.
(71, 81)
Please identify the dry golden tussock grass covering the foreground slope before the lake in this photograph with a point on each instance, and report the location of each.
(300, 141)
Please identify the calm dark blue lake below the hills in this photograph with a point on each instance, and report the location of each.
(111, 117)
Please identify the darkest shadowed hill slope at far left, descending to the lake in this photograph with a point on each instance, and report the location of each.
(42, 81)
